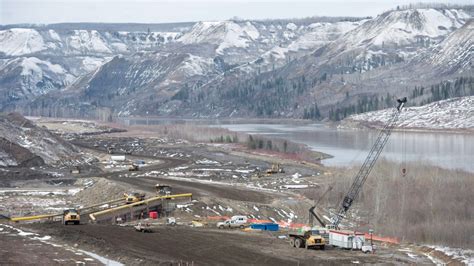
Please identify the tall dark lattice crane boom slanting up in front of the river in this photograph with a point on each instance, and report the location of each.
(368, 164)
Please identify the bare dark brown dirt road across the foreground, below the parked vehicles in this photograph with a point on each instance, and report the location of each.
(203, 246)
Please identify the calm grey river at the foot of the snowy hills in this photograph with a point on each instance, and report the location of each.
(349, 146)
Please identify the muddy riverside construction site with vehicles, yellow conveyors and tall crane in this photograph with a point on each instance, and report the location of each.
(145, 199)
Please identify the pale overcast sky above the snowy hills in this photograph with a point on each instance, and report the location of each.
(156, 11)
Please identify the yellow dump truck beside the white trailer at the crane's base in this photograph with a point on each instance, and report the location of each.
(312, 238)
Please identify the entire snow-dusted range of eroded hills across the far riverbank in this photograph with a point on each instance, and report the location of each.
(227, 67)
